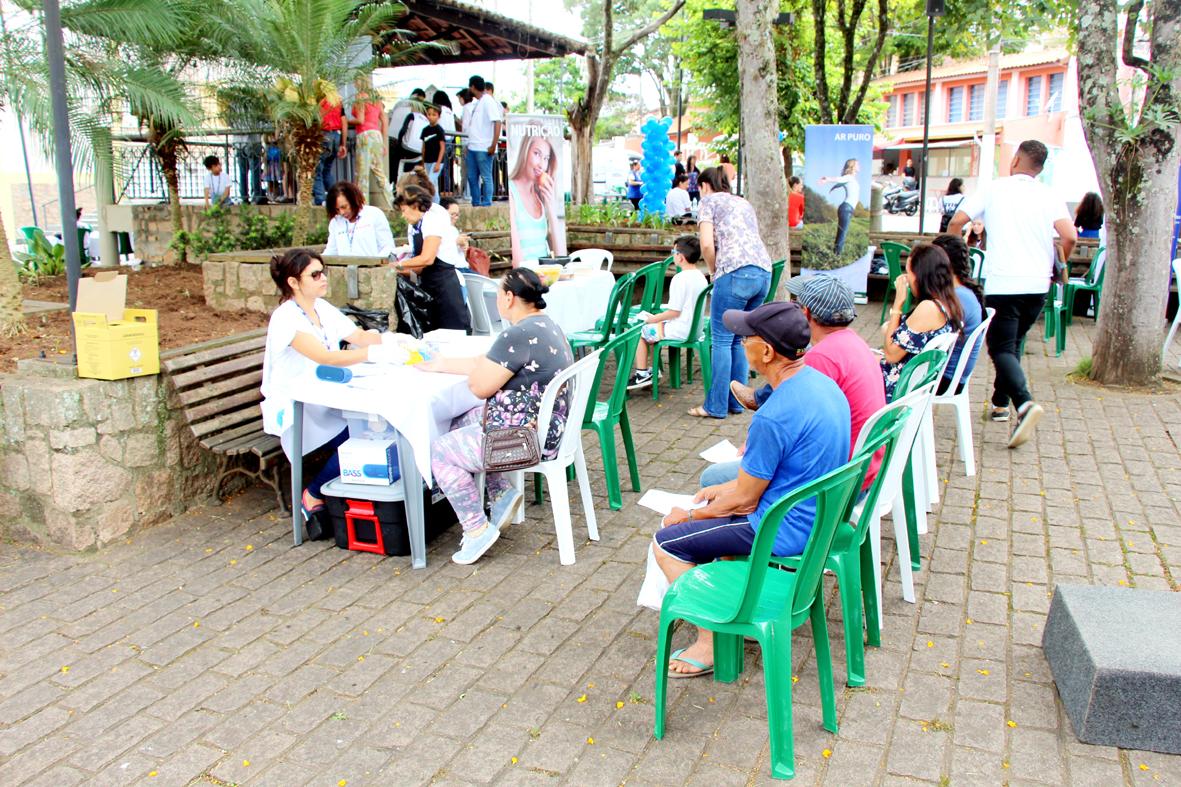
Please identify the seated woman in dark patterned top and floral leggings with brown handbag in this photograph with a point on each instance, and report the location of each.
(512, 379)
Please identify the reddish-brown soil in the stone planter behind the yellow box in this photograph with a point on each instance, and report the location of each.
(177, 292)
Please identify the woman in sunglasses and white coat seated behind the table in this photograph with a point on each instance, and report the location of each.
(306, 331)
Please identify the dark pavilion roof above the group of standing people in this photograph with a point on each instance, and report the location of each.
(479, 35)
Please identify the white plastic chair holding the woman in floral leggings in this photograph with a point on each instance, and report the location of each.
(580, 376)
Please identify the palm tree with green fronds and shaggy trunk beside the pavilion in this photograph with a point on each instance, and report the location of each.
(311, 48)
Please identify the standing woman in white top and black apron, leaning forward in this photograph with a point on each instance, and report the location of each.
(436, 257)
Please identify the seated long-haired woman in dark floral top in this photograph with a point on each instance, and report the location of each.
(937, 310)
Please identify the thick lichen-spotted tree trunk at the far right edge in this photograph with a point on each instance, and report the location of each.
(1138, 179)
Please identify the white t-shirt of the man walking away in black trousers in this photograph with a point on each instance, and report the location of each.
(1019, 214)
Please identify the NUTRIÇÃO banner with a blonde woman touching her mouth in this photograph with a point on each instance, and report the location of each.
(539, 179)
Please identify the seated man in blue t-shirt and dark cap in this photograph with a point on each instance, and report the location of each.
(788, 446)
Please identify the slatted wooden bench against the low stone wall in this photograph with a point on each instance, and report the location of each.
(217, 386)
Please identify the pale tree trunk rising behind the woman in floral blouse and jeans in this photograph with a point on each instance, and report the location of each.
(767, 190)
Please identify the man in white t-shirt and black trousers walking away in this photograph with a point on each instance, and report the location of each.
(1021, 217)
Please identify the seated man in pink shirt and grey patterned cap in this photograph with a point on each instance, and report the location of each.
(837, 352)
